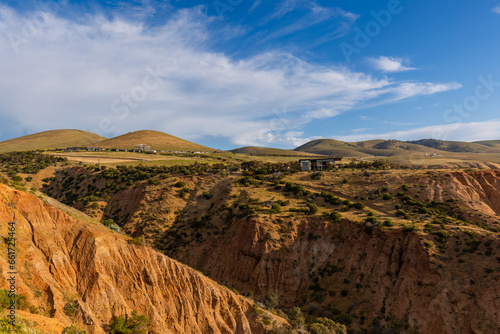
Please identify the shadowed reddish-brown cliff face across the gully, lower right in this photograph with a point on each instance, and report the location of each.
(395, 274)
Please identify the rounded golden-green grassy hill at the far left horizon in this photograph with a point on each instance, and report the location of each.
(51, 140)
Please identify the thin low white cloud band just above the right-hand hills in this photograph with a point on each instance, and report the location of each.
(468, 132)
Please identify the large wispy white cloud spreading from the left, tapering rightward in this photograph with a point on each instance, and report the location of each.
(71, 74)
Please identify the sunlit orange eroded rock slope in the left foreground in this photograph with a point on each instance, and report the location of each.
(68, 260)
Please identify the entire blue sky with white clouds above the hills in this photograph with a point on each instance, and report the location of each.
(234, 73)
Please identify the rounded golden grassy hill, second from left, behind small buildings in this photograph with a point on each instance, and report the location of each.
(156, 139)
